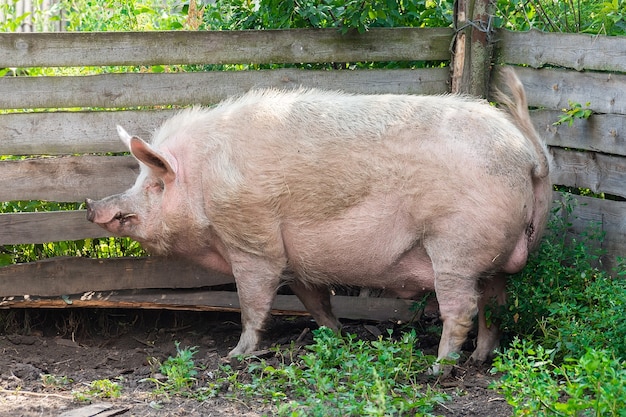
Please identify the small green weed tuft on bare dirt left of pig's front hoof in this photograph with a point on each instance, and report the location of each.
(179, 373)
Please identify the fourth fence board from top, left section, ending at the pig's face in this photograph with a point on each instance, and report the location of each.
(68, 178)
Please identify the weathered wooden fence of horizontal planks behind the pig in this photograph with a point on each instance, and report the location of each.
(71, 121)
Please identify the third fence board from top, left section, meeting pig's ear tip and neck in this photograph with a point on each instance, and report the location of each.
(54, 133)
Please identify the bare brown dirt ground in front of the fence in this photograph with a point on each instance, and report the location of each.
(87, 345)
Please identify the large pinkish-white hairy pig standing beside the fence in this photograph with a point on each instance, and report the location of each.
(313, 188)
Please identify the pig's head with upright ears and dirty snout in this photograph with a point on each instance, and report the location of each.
(141, 212)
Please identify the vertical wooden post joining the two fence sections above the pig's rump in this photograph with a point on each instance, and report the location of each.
(472, 50)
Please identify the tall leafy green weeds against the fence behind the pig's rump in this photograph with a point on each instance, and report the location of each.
(562, 300)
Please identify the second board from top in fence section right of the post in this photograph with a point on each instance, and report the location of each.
(553, 89)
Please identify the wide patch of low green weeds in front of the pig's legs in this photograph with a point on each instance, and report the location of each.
(340, 376)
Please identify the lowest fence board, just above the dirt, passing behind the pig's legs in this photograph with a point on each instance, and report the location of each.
(354, 308)
